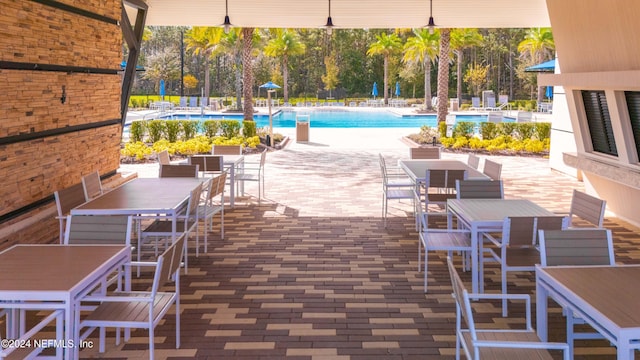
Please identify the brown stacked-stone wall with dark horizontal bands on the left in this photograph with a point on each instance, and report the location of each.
(60, 115)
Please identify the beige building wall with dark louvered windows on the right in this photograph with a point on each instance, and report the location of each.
(598, 48)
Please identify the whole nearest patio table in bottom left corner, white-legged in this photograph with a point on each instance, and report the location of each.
(37, 277)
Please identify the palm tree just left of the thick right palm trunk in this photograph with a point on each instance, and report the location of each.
(423, 49)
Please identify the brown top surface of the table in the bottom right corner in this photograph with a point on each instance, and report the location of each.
(612, 291)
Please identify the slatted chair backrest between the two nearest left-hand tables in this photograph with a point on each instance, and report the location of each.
(98, 229)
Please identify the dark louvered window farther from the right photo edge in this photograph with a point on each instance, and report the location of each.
(599, 121)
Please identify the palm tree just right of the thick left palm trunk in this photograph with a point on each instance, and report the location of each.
(283, 44)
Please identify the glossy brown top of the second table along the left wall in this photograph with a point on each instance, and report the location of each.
(142, 196)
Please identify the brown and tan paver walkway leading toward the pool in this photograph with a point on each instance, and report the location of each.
(313, 274)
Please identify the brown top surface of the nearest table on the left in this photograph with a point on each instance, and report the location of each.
(53, 268)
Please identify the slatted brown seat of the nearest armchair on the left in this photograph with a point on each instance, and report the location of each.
(136, 313)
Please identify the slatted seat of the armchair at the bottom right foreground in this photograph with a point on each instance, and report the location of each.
(503, 337)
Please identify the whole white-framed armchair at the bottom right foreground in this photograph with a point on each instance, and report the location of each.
(496, 343)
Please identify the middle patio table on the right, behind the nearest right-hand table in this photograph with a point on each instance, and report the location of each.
(487, 215)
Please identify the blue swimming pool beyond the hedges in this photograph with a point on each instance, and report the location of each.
(342, 118)
